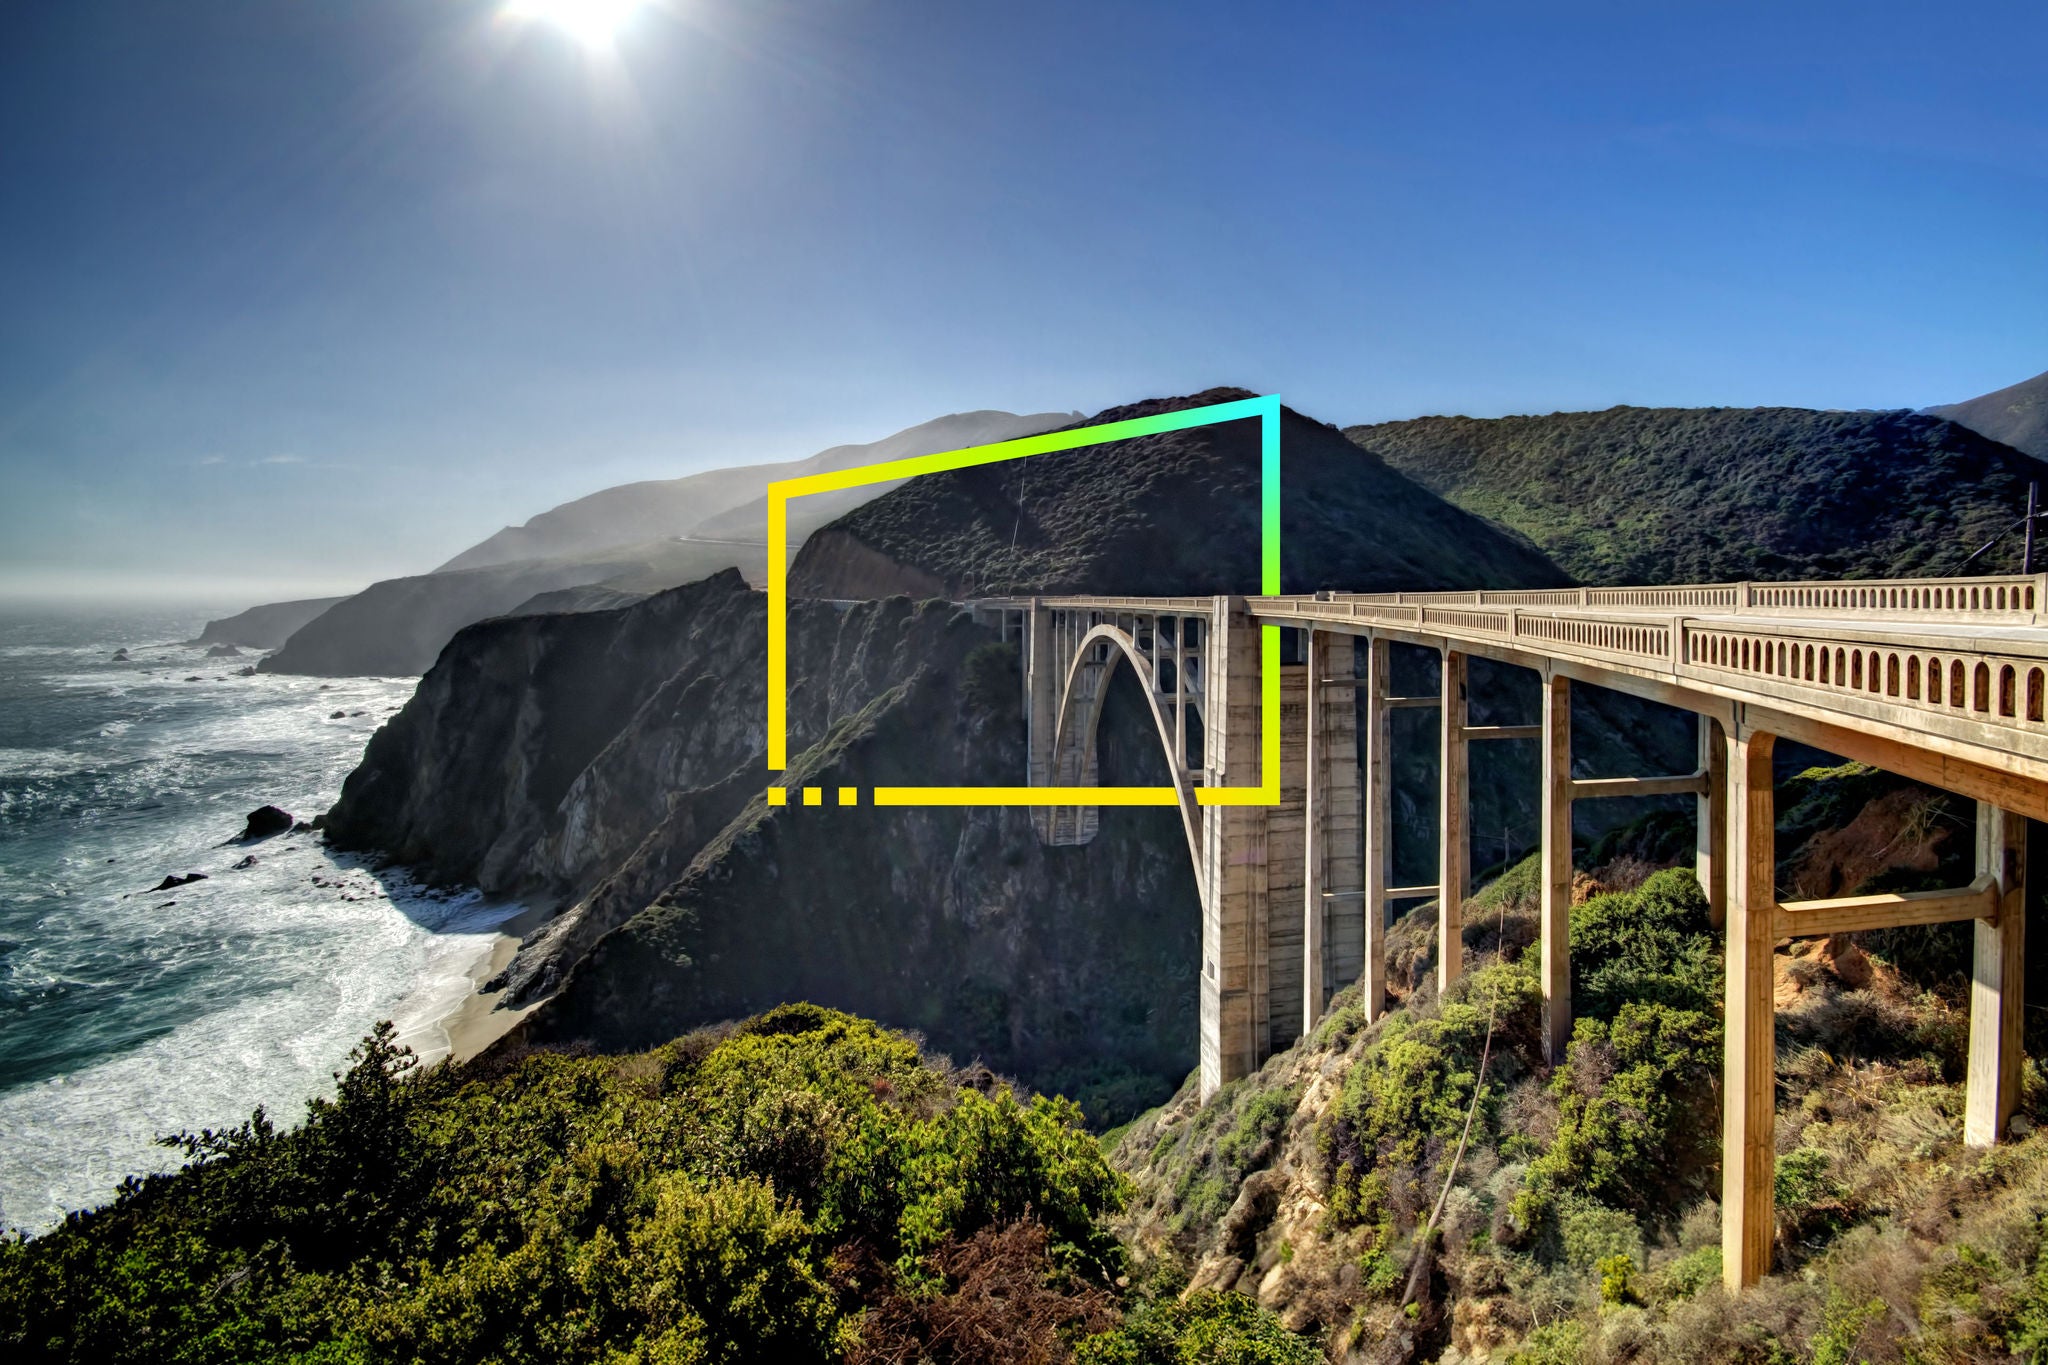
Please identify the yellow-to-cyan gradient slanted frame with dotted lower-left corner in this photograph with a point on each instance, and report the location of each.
(1265, 408)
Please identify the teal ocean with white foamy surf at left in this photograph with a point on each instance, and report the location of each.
(128, 1014)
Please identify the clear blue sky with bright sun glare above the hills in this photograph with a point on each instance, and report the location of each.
(298, 296)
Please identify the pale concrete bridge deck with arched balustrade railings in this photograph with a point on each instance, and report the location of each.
(1951, 668)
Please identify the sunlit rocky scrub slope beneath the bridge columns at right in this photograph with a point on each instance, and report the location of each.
(1580, 1225)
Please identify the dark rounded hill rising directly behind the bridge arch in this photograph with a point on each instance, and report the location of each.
(1179, 517)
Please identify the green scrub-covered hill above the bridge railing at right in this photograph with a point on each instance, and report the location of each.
(1725, 494)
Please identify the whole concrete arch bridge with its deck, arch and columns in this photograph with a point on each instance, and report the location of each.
(1938, 680)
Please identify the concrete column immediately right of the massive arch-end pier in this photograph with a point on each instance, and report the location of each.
(1334, 899)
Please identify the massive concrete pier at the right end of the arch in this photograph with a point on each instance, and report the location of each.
(1234, 854)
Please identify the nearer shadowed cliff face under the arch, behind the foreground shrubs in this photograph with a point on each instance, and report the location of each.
(1068, 967)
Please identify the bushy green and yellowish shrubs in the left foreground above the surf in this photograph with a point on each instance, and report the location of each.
(796, 1188)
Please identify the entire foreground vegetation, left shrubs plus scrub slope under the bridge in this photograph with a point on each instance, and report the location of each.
(814, 1188)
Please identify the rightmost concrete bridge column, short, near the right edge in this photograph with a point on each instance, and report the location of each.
(1998, 979)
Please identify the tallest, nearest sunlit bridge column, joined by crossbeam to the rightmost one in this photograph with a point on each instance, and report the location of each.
(1750, 1045)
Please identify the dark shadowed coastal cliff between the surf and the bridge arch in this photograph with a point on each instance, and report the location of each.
(611, 762)
